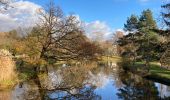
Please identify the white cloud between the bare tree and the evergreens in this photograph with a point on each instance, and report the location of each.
(97, 30)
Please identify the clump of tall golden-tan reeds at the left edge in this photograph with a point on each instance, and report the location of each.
(7, 69)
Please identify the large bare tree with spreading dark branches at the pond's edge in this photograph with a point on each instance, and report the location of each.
(58, 36)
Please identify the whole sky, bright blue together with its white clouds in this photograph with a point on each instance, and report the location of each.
(101, 17)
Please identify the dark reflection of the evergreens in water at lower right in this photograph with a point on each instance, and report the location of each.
(137, 88)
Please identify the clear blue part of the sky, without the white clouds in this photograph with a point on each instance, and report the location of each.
(112, 12)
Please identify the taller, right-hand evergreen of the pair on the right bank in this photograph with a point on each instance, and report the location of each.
(148, 38)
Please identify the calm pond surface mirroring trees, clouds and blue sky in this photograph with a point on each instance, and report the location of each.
(90, 81)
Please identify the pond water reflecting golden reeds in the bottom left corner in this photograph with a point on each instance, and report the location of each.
(28, 91)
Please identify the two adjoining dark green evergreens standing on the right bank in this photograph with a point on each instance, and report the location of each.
(141, 41)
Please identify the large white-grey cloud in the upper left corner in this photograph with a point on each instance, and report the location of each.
(23, 13)
